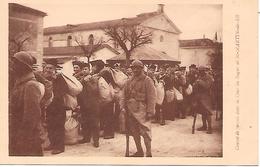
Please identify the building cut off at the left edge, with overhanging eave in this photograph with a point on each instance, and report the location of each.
(25, 30)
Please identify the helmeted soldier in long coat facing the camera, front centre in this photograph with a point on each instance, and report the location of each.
(139, 104)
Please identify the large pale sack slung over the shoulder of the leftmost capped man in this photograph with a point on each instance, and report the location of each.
(73, 85)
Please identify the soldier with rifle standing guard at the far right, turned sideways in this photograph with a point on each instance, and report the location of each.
(202, 99)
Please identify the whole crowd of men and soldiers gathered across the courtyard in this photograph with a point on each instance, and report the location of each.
(37, 98)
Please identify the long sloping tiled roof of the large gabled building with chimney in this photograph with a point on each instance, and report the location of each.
(100, 25)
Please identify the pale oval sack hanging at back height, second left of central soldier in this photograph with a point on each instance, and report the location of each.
(106, 91)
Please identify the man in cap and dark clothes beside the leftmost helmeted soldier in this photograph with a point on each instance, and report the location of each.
(55, 112)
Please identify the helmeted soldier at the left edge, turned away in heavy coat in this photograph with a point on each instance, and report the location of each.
(25, 113)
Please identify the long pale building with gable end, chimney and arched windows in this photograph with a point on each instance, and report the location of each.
(165, 34)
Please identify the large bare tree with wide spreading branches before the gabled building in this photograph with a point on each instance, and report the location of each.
(128, 38)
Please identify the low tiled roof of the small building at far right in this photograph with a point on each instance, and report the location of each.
(204, 42)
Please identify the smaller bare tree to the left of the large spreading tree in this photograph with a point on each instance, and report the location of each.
(91, 48)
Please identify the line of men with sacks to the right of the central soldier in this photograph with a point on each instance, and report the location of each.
(206, 94)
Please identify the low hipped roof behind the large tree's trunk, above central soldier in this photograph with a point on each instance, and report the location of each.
(145, 53)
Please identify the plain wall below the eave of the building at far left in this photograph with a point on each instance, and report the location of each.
(23, 25)
